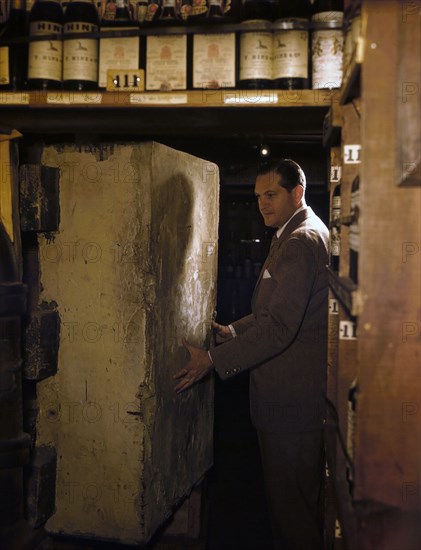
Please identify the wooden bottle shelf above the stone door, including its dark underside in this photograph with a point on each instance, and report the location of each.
(228, 113)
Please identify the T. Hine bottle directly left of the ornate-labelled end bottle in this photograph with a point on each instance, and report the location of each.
(291, 45)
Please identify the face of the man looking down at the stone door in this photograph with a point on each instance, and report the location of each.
(275, 203)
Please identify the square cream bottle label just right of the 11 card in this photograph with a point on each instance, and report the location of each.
(166, 62)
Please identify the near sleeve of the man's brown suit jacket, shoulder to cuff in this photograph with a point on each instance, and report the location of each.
(280, 305)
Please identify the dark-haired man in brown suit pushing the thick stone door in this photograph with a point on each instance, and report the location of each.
(284, 343)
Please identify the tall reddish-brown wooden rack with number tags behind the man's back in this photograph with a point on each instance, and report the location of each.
(372, 380)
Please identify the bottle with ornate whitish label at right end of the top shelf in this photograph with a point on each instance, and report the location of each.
(327, 44)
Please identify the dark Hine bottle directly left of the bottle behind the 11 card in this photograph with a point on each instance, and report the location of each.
(80, 55)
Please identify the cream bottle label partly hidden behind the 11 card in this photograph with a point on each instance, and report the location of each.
(118, 54)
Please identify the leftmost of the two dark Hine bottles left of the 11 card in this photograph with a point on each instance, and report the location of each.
(45, 57)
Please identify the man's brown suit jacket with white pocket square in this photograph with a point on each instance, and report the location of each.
(284, 340)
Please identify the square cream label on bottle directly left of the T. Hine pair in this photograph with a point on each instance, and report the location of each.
(214, 60)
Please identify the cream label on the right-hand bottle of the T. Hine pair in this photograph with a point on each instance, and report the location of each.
(290, 54)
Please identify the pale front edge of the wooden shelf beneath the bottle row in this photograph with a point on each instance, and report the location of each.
(197, 99)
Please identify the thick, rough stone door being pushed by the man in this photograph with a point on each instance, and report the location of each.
(130, 271)
